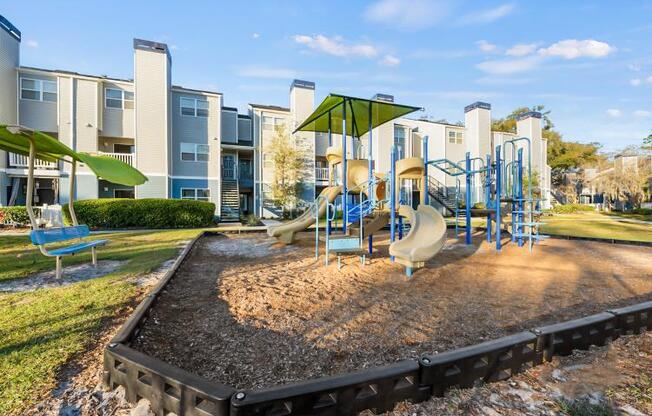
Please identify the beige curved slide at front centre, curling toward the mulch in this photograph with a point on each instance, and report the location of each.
(426, 238)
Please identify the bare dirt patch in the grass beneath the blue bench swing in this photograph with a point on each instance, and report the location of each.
(70, 275)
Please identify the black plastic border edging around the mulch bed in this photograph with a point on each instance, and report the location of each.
(170, 389)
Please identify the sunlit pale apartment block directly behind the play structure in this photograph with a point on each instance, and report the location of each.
(445, 141)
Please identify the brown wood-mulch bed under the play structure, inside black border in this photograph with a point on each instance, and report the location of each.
(251, 321)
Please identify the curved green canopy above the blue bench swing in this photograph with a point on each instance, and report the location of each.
(16, 139)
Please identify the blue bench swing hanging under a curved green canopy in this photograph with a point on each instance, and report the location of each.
(36, 145)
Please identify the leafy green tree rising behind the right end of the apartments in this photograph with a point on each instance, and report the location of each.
(562, 155)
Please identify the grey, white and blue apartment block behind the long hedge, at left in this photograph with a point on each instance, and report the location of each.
(186, 141)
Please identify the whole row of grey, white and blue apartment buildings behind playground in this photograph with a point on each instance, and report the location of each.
(190, 144)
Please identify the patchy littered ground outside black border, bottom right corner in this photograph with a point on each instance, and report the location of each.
(611, 380)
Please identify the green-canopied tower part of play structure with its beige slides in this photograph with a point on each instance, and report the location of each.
(368, 200)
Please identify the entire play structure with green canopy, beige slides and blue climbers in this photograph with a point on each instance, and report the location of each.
(368, 200)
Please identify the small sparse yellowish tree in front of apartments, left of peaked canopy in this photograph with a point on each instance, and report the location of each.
(290, 169)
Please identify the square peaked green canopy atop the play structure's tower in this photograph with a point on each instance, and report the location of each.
(357, 115)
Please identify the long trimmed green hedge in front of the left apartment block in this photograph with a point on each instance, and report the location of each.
(142, 213)
